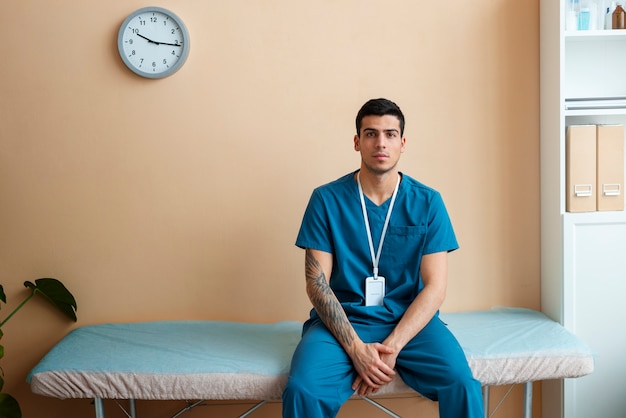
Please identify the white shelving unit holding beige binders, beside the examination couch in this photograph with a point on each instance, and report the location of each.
(583, 266)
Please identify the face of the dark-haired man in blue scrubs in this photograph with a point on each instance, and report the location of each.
(380, 143)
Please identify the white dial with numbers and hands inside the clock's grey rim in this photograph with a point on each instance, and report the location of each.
(153, 42)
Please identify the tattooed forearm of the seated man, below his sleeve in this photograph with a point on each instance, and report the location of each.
(325, 302)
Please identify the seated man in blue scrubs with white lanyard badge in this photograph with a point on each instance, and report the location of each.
(376, 244)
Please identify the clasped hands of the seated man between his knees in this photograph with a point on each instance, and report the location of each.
(374, 364)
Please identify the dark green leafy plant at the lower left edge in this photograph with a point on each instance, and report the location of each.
(56, 293)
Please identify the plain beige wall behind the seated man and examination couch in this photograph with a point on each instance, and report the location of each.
(181, 198)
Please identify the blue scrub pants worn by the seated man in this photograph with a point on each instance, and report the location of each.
(433, 363)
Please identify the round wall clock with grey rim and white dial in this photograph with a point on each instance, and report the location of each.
(153, 42)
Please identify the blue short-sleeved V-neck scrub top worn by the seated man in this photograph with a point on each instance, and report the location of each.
(419, 224)
